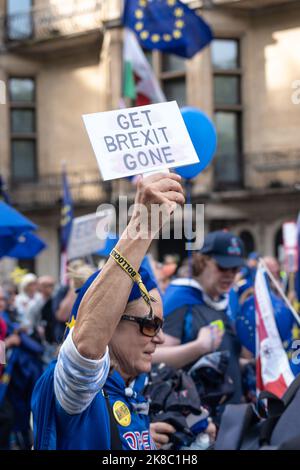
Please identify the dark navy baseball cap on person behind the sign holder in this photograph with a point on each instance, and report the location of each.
(225, 248)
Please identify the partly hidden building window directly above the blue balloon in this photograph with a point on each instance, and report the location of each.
(172, 74)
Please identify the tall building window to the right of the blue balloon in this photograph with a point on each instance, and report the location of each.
(227, 77)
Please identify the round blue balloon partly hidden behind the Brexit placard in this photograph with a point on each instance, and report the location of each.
(204, 137)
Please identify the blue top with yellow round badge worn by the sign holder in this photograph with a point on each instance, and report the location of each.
(90, 430)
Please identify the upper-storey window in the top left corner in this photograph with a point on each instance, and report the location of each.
(19, 19)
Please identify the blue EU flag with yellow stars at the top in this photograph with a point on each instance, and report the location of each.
(167, 25)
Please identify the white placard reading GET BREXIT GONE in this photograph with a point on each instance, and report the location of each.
(132, 141)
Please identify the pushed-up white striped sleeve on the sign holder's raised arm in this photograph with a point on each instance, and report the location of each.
(77, 379)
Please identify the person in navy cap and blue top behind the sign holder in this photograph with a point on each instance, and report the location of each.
(196, 309)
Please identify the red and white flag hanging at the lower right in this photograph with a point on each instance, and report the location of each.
(273, 372)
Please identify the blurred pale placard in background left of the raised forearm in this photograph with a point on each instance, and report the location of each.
(88, 234)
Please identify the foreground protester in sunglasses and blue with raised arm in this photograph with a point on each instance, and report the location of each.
(90, 398)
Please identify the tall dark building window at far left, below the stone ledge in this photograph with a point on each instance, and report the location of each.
(23, 129)
